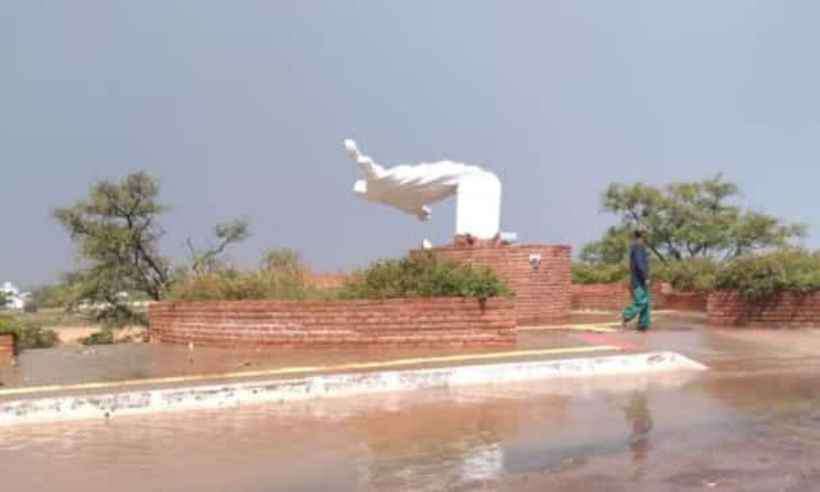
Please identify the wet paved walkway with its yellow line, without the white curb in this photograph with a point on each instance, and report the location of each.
(105, 368)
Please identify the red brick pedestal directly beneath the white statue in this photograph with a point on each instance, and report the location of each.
(541, 296)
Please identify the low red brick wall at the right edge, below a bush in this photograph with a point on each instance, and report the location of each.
(728, 308)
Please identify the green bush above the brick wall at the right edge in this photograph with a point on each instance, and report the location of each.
(760, 277)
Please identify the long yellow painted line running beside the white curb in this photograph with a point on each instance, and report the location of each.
(307, 369)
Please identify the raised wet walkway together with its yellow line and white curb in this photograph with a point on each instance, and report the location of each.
(83, 382)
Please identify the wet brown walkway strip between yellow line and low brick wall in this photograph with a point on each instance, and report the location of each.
(74, 364)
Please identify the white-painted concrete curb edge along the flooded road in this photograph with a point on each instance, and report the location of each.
(230, 395)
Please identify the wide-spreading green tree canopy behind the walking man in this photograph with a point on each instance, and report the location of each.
(687, 220)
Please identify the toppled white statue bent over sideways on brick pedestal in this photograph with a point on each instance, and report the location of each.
(413, 188)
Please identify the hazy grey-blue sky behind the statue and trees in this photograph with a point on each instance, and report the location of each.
(240, 109)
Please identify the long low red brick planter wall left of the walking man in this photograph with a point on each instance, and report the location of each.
(402, 322)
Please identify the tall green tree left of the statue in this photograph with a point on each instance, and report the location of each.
(116, 232)
